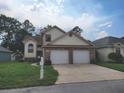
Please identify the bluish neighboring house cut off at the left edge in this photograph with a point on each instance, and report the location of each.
(5, 54)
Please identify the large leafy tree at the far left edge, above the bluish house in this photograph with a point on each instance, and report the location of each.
(8, 27)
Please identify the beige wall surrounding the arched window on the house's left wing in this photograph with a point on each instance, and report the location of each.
(30, 55)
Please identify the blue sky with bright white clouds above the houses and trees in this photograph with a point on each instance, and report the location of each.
(97, 18)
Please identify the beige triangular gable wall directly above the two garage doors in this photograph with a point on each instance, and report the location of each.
(70, 40)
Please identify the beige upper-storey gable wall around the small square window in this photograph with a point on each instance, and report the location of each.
(55, 33)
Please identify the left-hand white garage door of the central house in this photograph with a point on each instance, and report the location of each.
(59, 57)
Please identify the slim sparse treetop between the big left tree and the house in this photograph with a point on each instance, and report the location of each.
(28, 26)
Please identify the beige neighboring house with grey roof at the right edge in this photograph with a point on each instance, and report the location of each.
(107, 45)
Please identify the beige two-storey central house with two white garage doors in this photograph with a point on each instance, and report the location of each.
(60, 47)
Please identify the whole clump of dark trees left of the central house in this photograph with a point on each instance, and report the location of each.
(13, 32)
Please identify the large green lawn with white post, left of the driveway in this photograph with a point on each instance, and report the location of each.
(15, 75)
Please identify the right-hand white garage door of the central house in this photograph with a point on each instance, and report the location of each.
(81, 56)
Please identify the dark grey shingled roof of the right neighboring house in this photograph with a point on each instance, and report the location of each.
(107, 41)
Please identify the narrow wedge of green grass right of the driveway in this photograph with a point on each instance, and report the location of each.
(116, 66)
